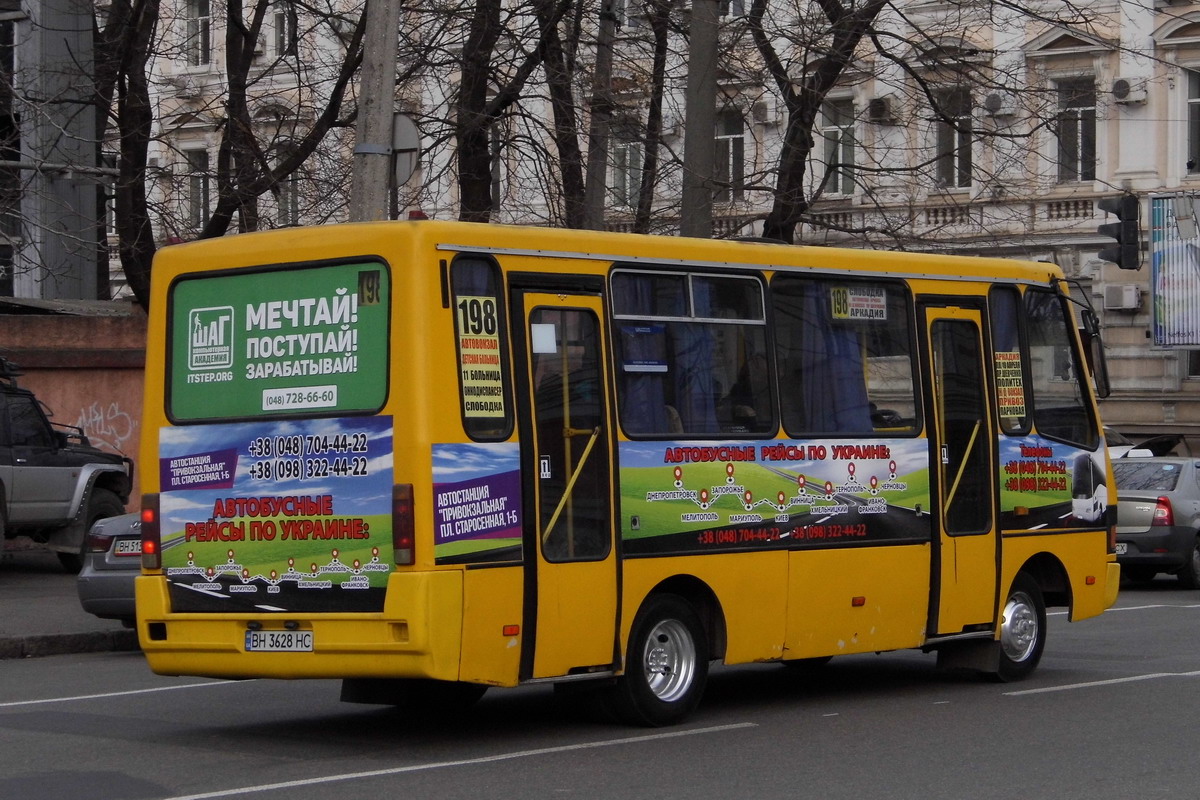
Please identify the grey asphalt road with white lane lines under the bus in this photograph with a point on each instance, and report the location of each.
(1109, 715)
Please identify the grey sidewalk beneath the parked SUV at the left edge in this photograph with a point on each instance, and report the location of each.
(40, 612)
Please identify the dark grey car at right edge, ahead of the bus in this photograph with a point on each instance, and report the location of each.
(1159, 519)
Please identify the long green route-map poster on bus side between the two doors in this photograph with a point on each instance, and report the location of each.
(688, 497)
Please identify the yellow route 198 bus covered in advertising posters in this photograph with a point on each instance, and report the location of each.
(433, 458)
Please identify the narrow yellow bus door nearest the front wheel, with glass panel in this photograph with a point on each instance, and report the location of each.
(963, 443)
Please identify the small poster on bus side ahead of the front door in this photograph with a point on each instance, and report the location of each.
(1047, 484)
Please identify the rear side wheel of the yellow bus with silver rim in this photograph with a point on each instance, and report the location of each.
(667, 667)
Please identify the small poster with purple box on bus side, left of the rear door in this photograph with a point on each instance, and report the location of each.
(477, 502)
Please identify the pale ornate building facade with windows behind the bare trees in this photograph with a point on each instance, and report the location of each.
(959, 128)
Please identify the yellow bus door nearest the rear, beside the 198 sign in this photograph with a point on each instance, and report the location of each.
(572, 591)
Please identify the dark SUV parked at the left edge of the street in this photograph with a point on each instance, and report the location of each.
(53, 483)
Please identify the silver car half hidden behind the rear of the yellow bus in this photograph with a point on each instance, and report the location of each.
(112, 560)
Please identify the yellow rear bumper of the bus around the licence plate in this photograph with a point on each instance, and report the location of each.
(416, 636)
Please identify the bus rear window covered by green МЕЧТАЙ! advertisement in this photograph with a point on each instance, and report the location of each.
(297, 341)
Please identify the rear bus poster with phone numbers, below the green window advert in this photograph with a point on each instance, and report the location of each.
(278, 516)
